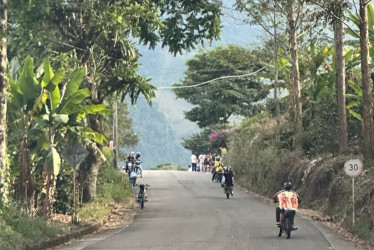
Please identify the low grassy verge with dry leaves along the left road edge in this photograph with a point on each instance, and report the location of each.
(19, 230)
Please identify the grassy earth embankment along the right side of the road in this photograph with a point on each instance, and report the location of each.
(262, 166)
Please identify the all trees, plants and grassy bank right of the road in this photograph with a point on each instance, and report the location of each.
(296, 108)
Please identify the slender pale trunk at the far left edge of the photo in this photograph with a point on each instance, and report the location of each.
(3, 94)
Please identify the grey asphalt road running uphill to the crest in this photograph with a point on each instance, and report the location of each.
(186, 210)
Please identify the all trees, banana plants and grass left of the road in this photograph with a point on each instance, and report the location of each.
(64, 68)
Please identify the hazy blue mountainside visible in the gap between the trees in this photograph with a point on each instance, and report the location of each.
(162, 127)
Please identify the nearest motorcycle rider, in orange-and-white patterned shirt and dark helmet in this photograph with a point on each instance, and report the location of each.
(288, 199)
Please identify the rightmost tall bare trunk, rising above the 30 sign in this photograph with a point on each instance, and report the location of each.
(366, 89)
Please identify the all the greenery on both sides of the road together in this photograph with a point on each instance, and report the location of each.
(294, 107)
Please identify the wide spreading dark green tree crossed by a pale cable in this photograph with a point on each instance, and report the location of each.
(219, 82)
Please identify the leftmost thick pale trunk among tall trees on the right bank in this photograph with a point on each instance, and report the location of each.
(295, 74)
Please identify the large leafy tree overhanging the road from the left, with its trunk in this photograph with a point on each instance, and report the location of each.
(99, 35)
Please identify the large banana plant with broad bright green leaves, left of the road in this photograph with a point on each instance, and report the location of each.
(50, 117)
